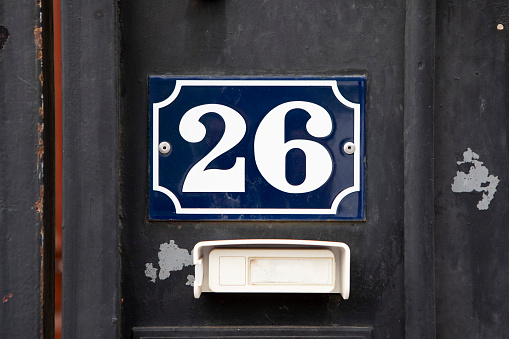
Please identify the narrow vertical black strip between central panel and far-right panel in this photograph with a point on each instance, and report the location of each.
(418, 173)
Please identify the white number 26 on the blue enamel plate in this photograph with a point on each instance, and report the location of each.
(270, 149)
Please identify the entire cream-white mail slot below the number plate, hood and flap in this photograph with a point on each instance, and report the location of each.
(272, 266)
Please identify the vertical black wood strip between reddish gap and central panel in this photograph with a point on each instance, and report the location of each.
(90, 172)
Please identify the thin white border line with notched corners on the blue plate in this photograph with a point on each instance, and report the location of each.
(269, 83)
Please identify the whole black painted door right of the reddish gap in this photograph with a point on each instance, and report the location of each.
(428, 261)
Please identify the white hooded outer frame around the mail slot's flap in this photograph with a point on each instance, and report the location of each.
(341, 252)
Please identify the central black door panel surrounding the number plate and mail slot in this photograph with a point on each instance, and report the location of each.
(277, 38)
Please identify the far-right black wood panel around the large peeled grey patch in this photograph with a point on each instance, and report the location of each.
(472, 105)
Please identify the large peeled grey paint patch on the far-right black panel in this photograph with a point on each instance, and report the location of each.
(477, 179)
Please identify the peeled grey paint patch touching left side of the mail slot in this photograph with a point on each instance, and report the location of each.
(171, 259)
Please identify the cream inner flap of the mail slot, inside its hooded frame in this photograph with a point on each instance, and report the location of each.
(271, 270)
